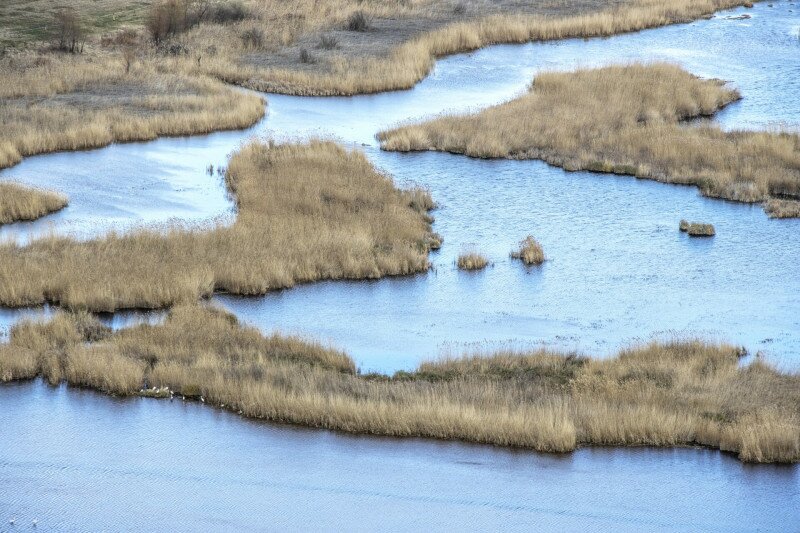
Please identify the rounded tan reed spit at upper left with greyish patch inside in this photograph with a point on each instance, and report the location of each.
(66, 108)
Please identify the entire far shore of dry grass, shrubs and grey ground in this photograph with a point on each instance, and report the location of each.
(126, 87)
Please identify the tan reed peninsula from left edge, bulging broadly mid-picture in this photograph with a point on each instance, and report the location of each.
(305, 213)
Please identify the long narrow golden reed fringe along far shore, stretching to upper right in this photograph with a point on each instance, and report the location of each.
(404, 65)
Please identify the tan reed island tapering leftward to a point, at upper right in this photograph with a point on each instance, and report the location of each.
(626, 120)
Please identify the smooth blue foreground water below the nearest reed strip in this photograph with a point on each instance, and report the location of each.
(79, 461)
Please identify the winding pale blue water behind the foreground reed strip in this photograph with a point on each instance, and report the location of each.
(618, 270)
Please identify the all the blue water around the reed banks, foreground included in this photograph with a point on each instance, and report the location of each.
(619, 272)
